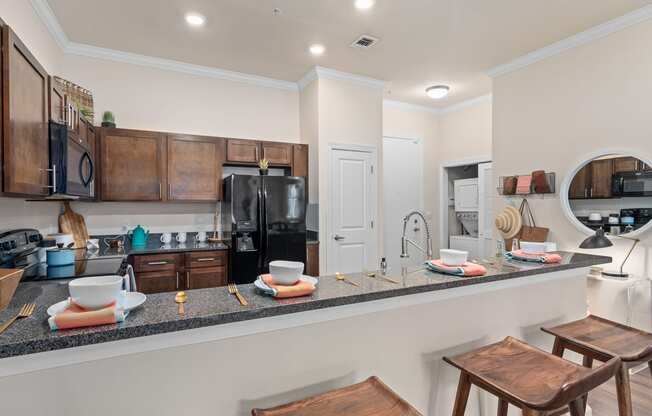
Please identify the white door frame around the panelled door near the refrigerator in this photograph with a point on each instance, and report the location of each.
(372, 150)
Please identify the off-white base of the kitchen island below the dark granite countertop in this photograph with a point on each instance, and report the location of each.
(230, 369)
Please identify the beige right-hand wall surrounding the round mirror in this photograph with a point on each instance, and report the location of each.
(548, 115)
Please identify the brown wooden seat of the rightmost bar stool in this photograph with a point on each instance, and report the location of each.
(607, 337)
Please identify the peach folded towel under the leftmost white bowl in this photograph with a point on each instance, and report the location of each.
(77, 317)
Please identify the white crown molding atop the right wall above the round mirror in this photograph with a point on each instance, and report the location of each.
(597, 32)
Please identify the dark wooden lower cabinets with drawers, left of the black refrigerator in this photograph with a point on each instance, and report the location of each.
(169, 272)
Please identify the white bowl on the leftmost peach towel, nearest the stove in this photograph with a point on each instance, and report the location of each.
(95, 292)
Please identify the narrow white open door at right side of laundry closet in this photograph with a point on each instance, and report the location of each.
(485, 213)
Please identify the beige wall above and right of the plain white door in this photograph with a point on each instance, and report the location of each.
(413, 123)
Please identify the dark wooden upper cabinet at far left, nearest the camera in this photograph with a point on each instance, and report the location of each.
(25, 111)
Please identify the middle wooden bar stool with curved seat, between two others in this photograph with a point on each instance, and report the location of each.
(533, 380)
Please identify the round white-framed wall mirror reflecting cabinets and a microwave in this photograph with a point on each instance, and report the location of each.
(611, 191)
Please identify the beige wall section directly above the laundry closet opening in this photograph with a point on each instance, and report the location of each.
(465, 133)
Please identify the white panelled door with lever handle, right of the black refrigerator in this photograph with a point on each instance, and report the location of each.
(353, 240)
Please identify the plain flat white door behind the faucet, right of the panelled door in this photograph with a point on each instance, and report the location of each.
(402, 193)
